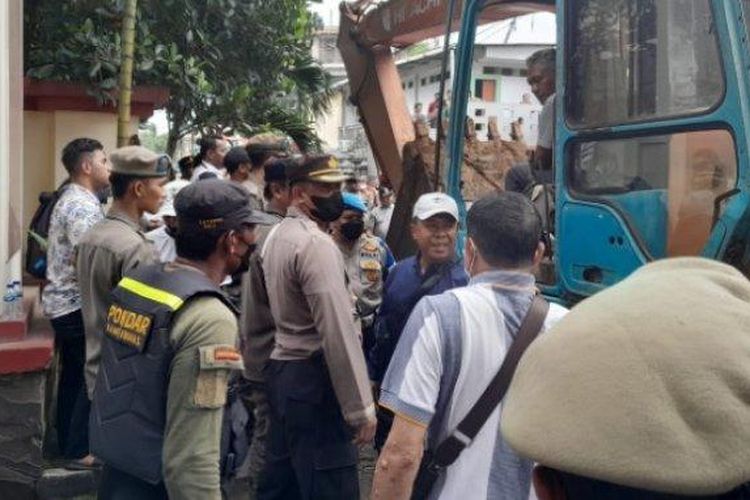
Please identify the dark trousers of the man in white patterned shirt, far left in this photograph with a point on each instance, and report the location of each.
(72, 402)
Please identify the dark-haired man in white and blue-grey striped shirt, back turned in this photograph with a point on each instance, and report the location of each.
(450, 350)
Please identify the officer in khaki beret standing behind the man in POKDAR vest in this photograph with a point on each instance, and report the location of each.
(117, 244)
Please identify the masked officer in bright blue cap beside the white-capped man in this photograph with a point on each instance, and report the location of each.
(367, 260)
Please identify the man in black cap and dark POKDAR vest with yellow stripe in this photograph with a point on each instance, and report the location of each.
(169, 344)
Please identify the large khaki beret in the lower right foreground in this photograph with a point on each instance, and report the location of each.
(646, 384)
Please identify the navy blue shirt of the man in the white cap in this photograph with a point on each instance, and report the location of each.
(403, 289)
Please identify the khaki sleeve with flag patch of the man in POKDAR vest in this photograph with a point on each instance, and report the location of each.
(196, 397)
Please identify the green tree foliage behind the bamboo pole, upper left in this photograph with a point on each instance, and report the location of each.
(229, 64)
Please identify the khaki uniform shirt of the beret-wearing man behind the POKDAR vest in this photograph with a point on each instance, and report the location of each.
(108, 250)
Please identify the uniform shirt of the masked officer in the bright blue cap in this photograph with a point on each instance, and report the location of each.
(365, 263)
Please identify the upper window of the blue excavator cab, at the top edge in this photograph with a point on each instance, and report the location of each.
(637, 60)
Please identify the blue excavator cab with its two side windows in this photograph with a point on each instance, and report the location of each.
(651, 134)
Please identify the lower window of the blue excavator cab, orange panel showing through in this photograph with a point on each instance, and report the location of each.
(665, 187)
